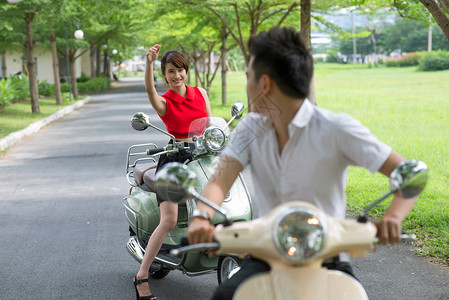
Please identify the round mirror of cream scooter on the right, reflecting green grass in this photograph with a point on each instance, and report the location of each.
(410, 178)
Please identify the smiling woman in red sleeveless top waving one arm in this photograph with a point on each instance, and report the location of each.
(178, 107)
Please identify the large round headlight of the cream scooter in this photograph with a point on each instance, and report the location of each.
(300, 234)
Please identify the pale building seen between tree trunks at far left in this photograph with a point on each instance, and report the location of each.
(16, 62)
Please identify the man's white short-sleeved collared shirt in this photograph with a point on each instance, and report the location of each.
(313, 164)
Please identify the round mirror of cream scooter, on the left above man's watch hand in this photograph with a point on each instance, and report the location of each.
(175, 182)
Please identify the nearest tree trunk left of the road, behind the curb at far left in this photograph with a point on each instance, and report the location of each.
(29, 45)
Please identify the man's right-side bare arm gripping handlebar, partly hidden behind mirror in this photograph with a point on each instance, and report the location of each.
(389, 228)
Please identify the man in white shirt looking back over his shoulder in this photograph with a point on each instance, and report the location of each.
(295, 149)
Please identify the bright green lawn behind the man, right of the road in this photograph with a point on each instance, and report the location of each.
(408, 110)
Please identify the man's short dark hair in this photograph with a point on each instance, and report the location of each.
(282, 54)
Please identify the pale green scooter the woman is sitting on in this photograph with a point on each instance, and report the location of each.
(141, 208)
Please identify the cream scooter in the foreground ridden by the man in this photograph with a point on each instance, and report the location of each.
(295, 238)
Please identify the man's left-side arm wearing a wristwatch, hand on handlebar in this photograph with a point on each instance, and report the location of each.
(200, 230)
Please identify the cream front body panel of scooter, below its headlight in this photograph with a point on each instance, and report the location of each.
(301, 283)
